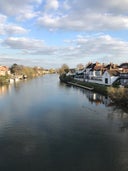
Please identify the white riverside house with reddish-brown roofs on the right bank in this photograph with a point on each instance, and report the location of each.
(98, 73)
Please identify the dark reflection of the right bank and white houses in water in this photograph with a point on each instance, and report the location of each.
(115, 113)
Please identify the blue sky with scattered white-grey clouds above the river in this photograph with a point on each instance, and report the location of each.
(50, 33)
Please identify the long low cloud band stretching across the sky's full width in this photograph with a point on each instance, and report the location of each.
(82, 46)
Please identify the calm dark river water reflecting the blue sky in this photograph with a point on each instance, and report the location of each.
(48, 126)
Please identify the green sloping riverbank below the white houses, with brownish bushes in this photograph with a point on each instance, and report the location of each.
(118, 95)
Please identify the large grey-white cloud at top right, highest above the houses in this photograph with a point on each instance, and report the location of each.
(87, 15)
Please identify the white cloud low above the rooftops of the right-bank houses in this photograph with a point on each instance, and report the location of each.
(102, 48)
